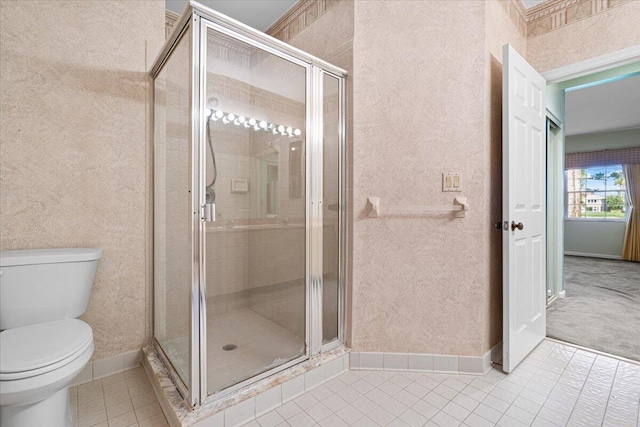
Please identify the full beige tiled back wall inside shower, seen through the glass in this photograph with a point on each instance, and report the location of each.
(254, 261)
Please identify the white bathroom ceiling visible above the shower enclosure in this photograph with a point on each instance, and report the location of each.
(259, 14)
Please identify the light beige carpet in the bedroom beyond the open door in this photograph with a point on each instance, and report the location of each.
(602, 307)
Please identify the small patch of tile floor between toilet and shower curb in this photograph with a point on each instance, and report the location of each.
(124, 399)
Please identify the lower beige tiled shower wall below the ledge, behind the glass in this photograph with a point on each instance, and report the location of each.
(266, 276)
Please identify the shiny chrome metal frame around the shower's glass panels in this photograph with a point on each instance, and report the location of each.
(201, 19)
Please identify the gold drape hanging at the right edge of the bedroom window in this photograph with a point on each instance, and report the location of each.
(631, 248)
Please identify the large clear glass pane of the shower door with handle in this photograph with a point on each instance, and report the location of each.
(255, 116)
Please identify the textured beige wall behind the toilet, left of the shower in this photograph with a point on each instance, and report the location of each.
(73, 133)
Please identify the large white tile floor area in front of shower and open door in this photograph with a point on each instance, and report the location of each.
(557, 385)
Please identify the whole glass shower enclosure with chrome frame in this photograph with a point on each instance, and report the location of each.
(248, 205)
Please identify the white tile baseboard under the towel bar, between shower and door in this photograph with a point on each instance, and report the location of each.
(421, 362)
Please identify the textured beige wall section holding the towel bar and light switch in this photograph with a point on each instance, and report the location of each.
(419, 285)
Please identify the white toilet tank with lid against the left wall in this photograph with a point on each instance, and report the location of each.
(43, 285)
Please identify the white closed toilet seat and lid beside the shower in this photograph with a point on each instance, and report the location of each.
(34, 350)
